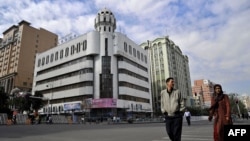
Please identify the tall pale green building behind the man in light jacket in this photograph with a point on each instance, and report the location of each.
(167, 60)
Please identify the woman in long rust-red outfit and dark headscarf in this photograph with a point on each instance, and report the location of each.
(220, 110)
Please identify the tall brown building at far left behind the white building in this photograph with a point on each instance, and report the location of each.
(18, 48)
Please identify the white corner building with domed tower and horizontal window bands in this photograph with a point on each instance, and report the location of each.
(101, 73)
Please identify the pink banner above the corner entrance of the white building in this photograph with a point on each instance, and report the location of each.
(104, 103)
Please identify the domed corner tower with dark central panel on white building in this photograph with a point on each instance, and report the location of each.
(105, 23)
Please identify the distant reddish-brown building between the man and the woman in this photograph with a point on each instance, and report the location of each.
(202, 92)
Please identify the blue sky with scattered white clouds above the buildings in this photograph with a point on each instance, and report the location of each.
(214, 34)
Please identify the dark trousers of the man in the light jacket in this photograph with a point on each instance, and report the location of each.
(174, 127)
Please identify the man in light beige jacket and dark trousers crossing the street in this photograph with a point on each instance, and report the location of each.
(172, 106)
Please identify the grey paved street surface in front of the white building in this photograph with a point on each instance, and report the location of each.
(198, 131)
